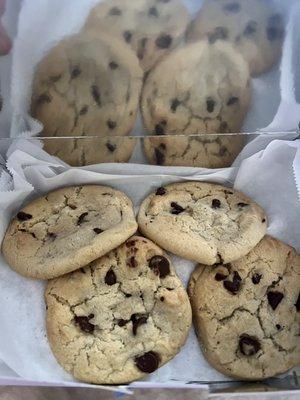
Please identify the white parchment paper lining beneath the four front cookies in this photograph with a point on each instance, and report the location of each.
(266, 176)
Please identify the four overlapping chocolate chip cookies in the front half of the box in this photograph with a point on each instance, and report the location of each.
(115, 308)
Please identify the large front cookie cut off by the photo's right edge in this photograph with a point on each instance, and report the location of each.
(247, 313)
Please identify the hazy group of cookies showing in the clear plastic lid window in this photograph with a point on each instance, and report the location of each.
(189, 77)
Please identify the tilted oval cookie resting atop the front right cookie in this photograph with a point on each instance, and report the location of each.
(202, 221)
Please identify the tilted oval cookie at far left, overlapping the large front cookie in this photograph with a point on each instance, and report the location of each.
(67, 229)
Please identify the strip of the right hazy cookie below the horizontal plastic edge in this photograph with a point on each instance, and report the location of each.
(209, 151)
